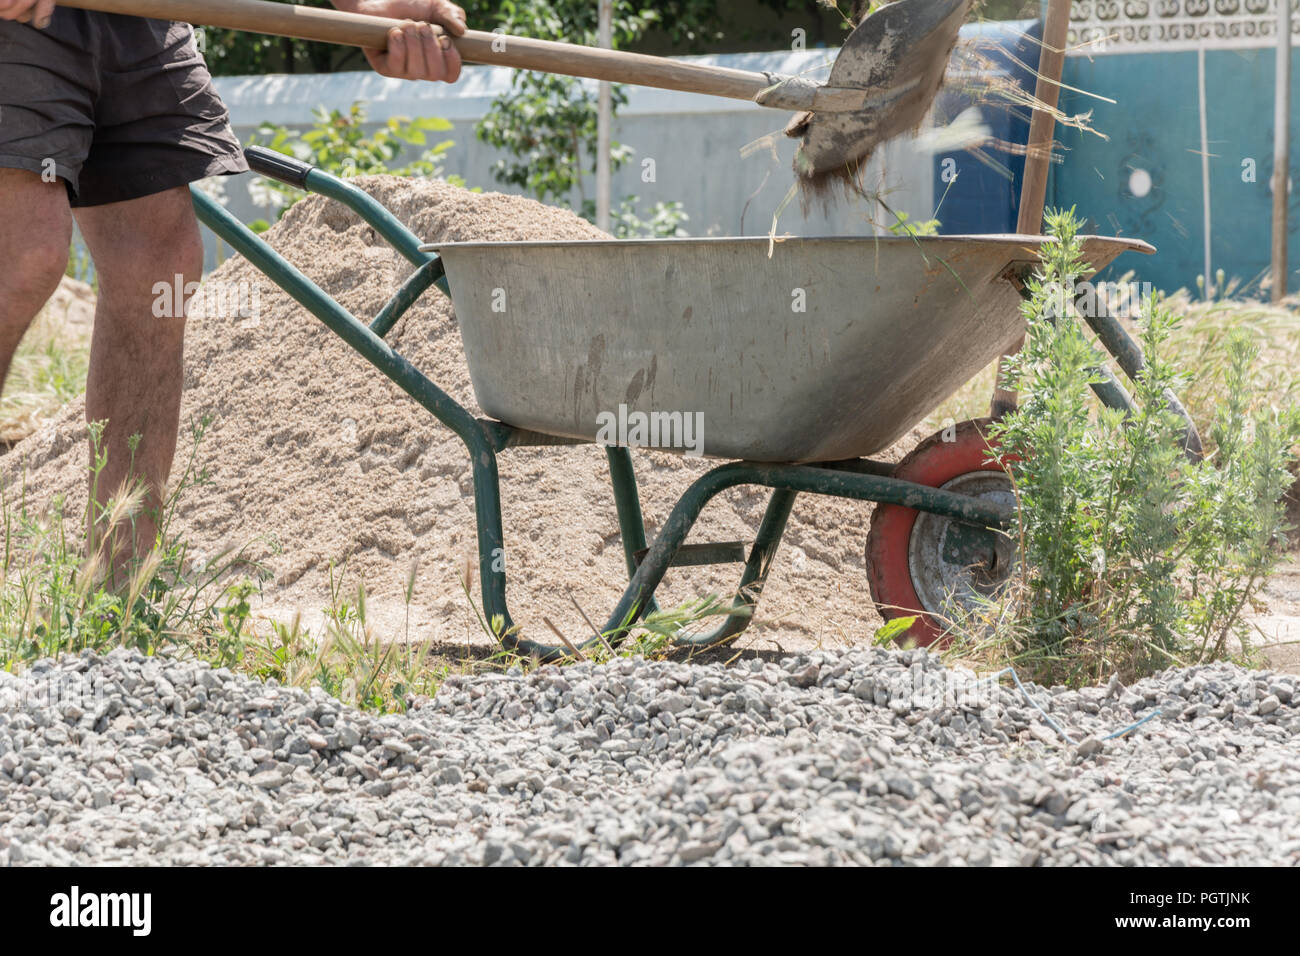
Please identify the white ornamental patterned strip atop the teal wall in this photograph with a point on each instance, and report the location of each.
(1132, 27)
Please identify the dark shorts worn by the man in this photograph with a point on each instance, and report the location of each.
(116, 107)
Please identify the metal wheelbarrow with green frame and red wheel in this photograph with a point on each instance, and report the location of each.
(794, 361)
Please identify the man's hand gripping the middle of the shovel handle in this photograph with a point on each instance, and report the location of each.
(417, 50)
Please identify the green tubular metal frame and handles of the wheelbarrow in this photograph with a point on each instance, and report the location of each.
(860, 479)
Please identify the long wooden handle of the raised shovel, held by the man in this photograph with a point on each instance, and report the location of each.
(476, 46)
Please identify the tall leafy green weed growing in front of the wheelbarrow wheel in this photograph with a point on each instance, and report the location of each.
(1134, 557)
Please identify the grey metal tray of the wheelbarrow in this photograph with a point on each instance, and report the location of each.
(827, 349)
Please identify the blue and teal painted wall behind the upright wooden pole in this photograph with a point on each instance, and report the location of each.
(1154, 126)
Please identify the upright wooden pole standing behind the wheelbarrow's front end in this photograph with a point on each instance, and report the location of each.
(1038, 162)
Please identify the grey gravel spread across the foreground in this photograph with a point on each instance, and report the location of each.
(861, 758)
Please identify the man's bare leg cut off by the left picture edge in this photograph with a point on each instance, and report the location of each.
(36, 231)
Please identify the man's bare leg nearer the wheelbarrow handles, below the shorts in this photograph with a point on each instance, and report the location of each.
(136, 366)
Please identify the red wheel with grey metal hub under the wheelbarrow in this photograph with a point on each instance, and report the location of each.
(929, 566)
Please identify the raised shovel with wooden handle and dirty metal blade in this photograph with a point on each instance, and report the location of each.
(882, 84)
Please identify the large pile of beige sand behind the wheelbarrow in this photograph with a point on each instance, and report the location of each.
(317, 458)
